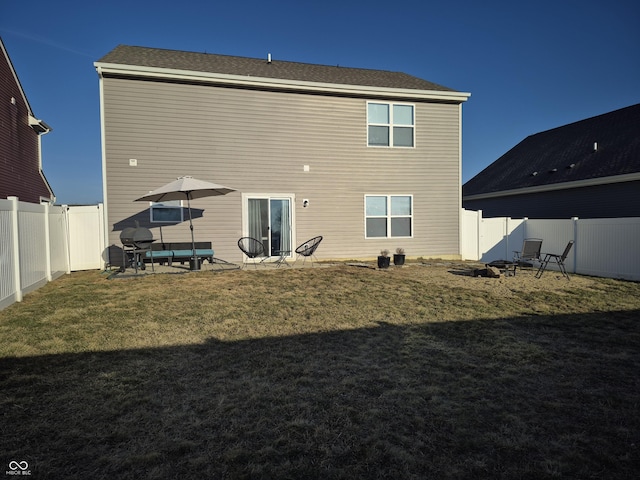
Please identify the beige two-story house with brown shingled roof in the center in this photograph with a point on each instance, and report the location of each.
(369, 159)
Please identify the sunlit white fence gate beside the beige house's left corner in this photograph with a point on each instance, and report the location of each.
(86, 237)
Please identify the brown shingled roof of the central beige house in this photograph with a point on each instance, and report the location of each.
(253, 67)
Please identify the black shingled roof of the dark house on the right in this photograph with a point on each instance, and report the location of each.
(566, 154)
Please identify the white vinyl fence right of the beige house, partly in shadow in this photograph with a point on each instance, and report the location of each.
(606, 247)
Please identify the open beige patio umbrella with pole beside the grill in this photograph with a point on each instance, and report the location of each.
(189, 188)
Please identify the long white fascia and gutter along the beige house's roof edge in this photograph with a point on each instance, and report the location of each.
(278, 83)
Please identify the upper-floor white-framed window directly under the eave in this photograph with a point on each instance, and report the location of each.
(390, 125)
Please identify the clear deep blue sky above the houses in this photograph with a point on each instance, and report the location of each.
(529, 66)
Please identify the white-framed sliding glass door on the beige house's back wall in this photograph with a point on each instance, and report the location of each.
(269, 220)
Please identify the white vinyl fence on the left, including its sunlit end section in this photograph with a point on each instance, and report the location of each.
(39, 243)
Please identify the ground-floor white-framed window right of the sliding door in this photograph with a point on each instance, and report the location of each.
(388, 216)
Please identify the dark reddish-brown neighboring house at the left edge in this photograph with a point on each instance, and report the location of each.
(20, 141)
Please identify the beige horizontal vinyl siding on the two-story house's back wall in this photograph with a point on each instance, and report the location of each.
(258, 142)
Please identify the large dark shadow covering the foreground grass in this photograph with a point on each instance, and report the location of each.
(537, 397)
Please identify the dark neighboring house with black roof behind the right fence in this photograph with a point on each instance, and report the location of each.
(587, 169)
